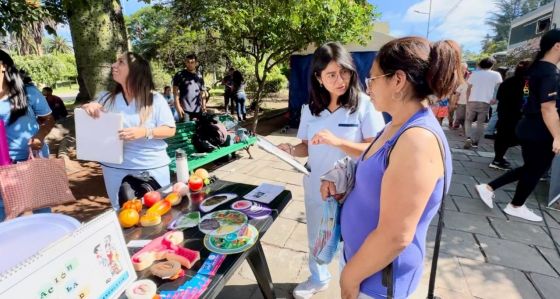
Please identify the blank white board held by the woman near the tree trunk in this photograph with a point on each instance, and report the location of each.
(98, 139)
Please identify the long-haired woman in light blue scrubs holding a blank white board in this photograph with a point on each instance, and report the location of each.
(147, 121)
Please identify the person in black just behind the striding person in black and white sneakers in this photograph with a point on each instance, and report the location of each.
(510, 101)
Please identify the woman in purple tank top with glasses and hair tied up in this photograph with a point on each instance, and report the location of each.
(400, 176)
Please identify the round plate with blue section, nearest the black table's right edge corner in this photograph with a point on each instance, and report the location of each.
(233, 243)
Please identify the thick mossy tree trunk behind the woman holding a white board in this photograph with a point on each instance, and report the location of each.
(98, 34)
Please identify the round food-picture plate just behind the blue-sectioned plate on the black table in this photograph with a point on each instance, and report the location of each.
(221, 223)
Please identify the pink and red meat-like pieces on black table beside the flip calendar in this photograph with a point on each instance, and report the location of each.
(165, 247)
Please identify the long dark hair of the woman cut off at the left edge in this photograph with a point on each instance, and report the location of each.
(17, 95)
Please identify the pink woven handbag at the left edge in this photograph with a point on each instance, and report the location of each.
(33, 184)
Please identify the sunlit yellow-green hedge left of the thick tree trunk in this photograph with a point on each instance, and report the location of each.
(48, 69)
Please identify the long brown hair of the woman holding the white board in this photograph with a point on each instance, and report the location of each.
(140, 82)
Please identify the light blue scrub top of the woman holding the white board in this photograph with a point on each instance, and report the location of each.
(143, 153)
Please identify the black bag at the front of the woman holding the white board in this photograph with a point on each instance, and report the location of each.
(136, 185)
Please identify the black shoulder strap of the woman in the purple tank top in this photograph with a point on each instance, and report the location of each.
(387, 272)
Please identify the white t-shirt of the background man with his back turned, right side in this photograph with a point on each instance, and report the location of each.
(483, 85)
